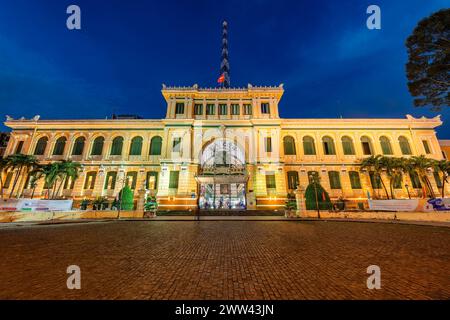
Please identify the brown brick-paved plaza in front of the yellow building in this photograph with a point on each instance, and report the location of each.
(225, 260)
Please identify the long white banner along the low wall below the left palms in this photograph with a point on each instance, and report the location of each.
(35, 205)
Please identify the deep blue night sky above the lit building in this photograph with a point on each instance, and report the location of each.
(330, 63)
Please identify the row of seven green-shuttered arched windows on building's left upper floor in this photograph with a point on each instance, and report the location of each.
(98, 146)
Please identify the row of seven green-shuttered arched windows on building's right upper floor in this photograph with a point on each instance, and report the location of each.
(328, 145)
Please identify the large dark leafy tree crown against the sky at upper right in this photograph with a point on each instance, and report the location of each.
(428, 64)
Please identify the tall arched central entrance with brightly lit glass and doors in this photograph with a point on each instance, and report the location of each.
(222, 176)
